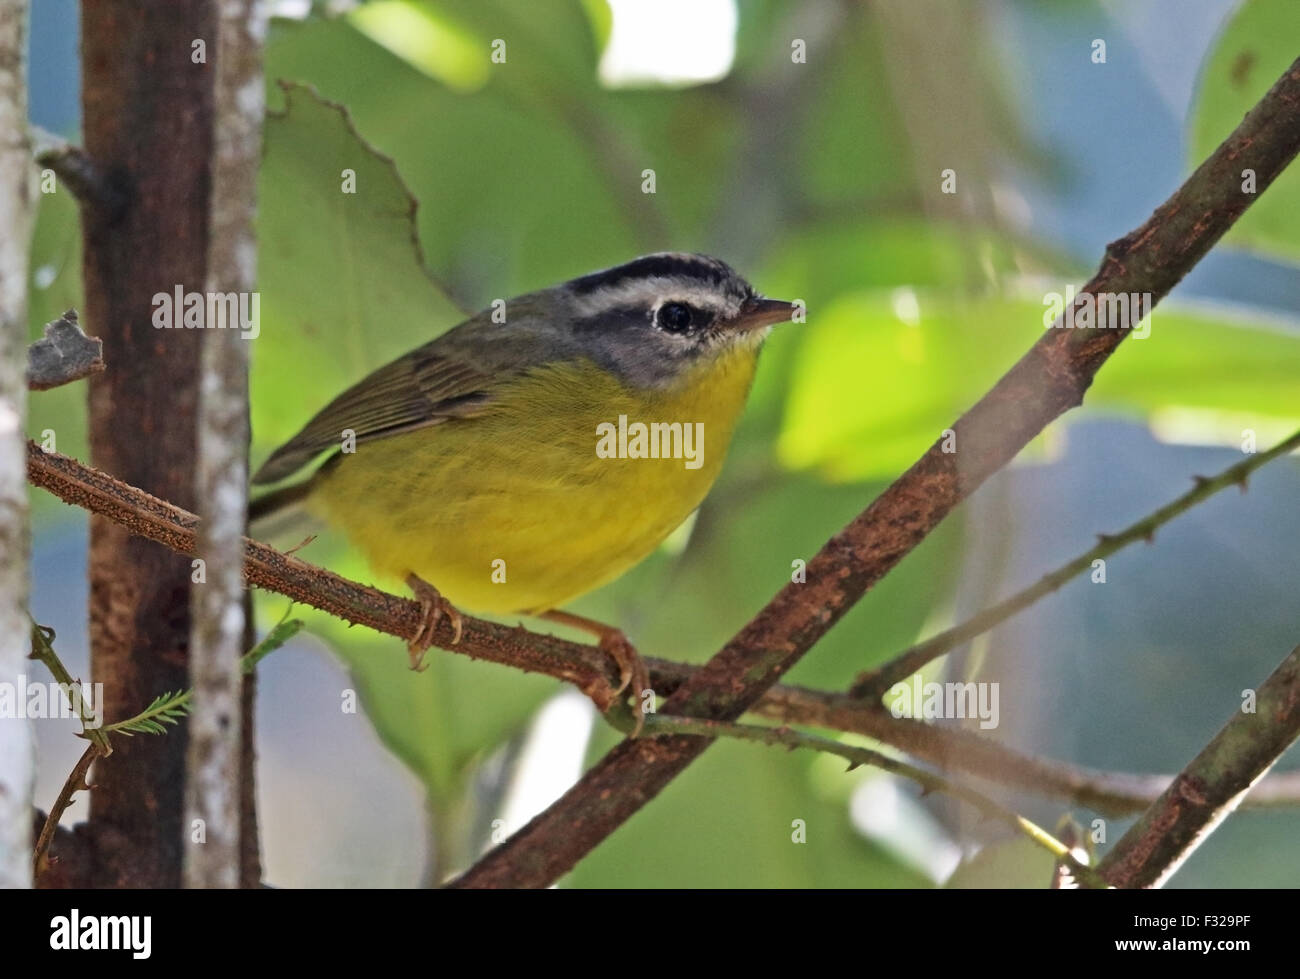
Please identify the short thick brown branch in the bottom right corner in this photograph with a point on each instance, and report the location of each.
(1212, 786)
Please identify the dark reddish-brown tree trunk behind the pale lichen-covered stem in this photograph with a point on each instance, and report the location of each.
(148, 105)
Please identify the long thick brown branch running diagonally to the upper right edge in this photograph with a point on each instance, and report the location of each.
(1048, 380)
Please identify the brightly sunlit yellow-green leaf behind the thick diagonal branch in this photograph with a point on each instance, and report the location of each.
(922, 359)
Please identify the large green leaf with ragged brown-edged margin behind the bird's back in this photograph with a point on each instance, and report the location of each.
(344, 287)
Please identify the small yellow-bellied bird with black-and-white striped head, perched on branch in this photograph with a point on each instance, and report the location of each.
(543, 448)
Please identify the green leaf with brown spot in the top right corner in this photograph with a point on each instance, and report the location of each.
(1253, 53)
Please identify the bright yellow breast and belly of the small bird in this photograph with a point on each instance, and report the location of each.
(515, 512)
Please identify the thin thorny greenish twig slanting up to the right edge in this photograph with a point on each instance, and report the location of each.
(874, 683)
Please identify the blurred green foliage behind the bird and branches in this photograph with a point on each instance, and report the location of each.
(528, 174)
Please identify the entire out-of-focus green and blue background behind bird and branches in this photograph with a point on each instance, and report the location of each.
(807, 146)
